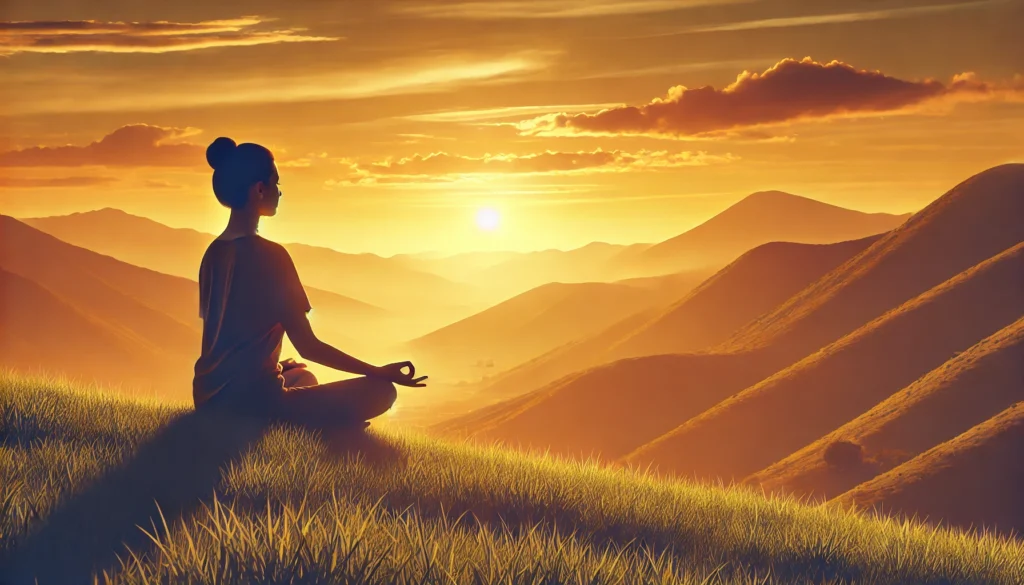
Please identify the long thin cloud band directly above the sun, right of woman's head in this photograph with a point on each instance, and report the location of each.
(445, 168)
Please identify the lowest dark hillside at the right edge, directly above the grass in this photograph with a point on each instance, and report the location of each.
(973, 481)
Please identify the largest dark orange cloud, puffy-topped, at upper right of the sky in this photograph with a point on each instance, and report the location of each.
(788, 92)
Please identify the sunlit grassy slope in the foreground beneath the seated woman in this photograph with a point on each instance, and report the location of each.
(103, 489)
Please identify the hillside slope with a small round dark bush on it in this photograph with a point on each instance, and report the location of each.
(965, 392)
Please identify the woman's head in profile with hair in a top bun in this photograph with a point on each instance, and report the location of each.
(244, 176)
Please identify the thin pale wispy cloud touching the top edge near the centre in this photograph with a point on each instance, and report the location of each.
(502, 10)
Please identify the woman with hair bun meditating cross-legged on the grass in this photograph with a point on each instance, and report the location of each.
(250, 297)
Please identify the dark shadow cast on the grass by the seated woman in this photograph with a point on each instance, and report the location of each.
(180, 468)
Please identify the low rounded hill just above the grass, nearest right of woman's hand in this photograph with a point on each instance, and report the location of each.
(613, 409)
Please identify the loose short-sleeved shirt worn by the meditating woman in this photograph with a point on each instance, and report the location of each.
(248, 289)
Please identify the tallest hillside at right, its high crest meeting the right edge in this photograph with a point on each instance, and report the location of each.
(972, 223)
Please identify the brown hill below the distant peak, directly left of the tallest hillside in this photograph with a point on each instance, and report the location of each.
(752, 285)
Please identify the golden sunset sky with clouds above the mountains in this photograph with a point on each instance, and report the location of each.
(395, 123)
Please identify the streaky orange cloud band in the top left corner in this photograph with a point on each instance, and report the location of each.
(145, 37)
